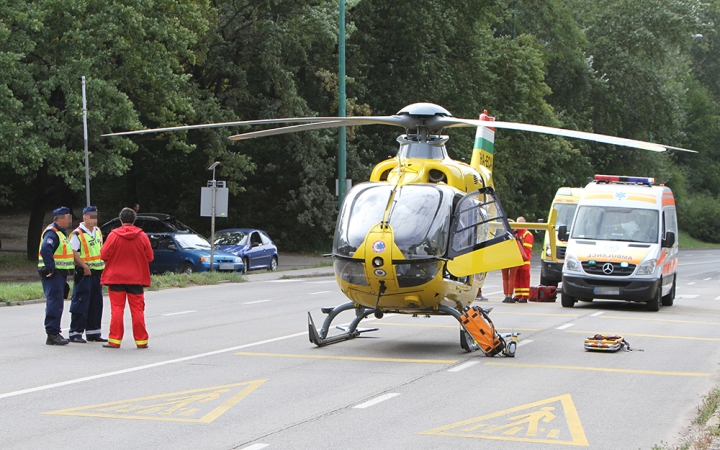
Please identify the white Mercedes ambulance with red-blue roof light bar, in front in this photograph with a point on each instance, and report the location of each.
(622, 244)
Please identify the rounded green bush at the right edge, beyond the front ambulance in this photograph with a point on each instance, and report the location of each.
(699, 215)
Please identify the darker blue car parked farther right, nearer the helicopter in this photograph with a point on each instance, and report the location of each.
(255, 247)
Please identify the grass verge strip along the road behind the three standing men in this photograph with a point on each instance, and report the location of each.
(15, 293)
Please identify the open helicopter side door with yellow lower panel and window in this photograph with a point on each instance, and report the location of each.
(481, 239)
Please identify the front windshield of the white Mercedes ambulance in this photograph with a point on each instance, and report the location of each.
(616, 224)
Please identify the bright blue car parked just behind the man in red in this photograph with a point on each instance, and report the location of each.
(189, 253)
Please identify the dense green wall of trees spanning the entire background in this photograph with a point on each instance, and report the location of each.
(623, 67)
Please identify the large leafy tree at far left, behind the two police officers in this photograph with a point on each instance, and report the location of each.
(133, 53)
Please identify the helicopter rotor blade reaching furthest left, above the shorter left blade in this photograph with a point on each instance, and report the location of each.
(365, 120)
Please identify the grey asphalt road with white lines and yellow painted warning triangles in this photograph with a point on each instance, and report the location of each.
(230, 367)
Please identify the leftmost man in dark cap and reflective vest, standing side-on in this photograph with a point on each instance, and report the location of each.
(55, 263)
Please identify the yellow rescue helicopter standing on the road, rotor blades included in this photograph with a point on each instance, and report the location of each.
(420, 235)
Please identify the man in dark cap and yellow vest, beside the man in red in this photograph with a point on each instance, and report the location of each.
(86, 304)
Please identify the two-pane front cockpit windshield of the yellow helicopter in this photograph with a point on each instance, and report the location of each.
(419, 216)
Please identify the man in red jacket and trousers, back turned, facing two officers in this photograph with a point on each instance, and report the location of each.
(127, 254)
